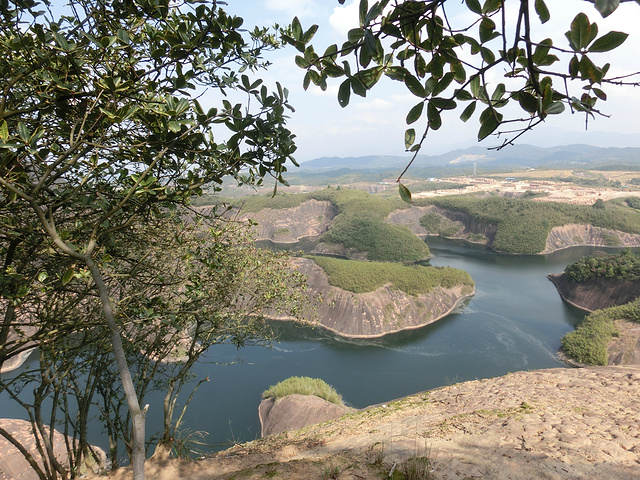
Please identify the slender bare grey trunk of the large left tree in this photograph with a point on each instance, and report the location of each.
(137, 414)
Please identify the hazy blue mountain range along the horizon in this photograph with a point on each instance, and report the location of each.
(517, 156)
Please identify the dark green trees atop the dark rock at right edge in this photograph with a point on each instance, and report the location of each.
(622, 266)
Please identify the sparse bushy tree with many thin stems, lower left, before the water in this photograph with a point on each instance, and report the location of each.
(184, 287)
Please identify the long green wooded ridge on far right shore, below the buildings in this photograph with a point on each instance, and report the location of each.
(522, 226)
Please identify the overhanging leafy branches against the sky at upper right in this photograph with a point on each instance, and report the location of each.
(446, 65)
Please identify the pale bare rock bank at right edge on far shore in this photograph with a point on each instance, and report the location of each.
(578, 235)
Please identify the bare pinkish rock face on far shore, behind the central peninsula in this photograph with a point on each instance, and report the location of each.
(310, 219)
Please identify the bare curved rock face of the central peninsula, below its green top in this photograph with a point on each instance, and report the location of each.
(377, 313)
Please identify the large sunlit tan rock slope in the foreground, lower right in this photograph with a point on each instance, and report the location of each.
(558, 424)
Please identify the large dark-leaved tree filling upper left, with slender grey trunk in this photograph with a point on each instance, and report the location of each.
(101, 132)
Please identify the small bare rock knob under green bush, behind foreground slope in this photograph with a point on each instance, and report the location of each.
(294, 412)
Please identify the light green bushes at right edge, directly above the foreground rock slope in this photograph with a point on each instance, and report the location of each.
(588, 343)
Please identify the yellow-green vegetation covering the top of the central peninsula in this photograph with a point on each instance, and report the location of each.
(362, 277)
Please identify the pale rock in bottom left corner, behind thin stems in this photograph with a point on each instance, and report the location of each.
(13, 464)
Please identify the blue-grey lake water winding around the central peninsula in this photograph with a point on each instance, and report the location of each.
(514, 322)
